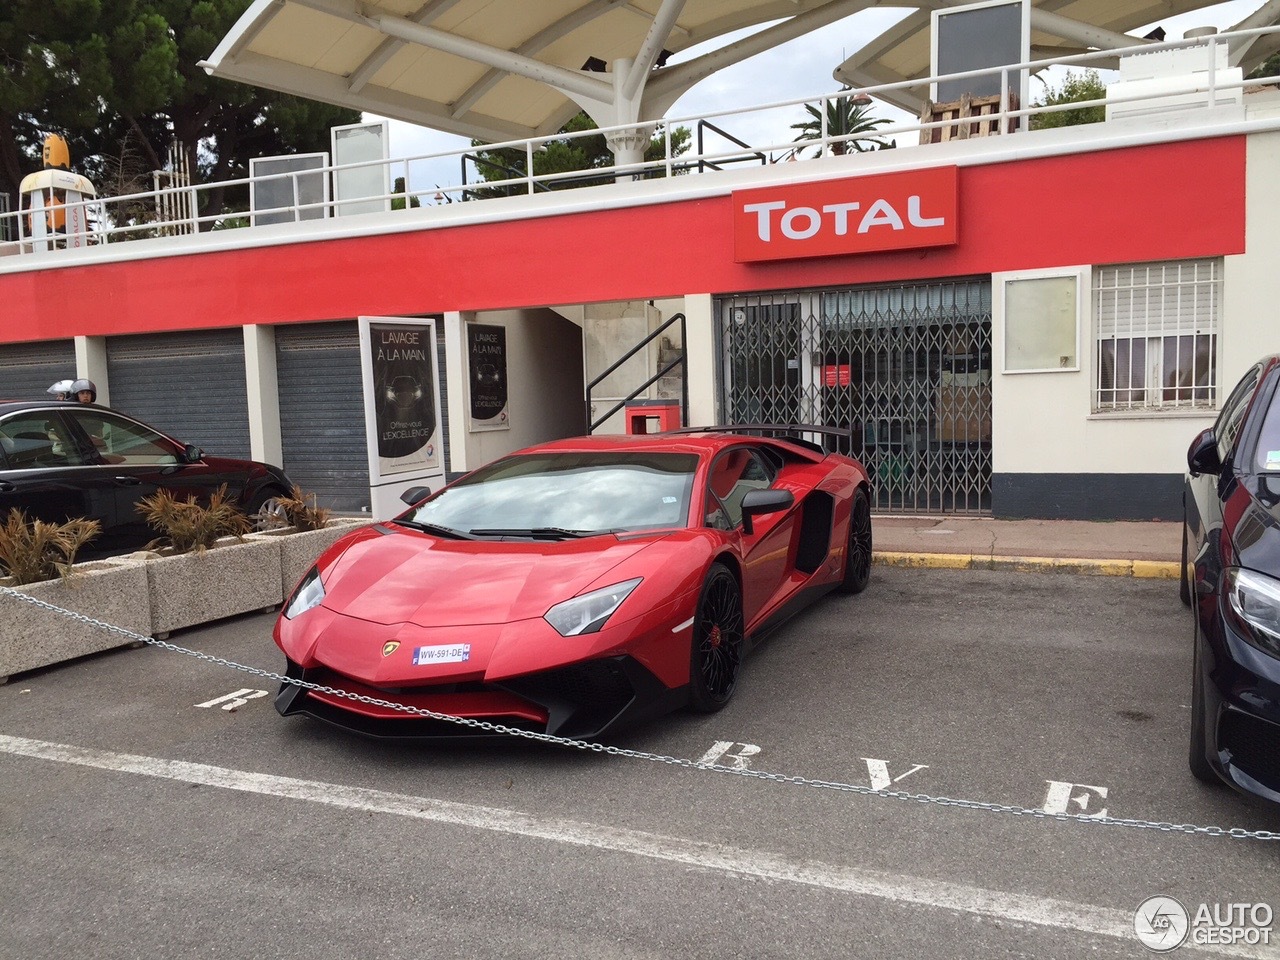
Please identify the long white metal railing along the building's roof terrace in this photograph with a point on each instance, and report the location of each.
(117, 220)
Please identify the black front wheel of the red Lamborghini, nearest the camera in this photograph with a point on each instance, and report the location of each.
(717, 644)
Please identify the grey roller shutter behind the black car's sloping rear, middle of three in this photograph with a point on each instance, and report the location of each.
(190, 386)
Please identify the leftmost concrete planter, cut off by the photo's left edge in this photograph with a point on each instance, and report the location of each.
(113, 592)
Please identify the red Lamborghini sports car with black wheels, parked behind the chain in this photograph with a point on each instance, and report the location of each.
(575, 586)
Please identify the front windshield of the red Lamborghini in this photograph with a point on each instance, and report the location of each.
(566, 495)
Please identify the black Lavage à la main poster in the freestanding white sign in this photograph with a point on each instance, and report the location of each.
(401, 359)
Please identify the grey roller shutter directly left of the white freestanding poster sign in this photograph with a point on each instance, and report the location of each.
(323, 413)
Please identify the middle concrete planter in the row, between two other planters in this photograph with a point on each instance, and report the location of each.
(231, 578)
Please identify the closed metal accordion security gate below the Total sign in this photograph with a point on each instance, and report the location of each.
(907, 368)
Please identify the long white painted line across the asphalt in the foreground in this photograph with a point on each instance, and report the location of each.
(1040, 912)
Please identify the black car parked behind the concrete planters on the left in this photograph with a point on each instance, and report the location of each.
(65, 460)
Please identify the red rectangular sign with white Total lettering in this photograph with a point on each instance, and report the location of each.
(857, 216)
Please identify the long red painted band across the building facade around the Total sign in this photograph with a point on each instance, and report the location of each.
(1153, 203)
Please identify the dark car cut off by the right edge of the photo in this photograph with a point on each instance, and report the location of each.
(1232, 582)
